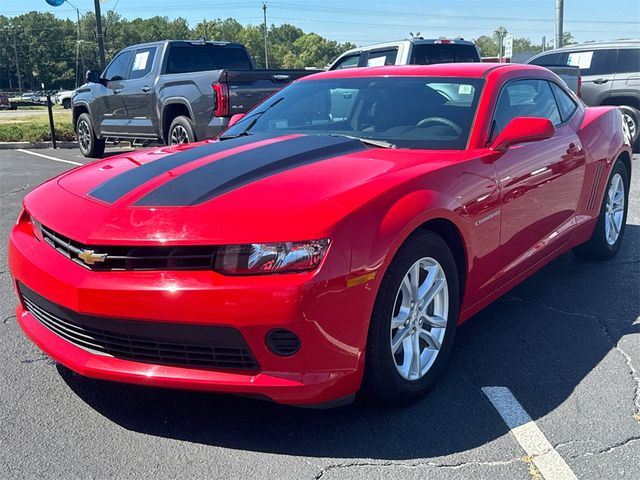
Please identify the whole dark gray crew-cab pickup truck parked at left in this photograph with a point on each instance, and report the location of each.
(172, 91)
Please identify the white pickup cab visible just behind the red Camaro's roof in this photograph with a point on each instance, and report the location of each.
(415, 51)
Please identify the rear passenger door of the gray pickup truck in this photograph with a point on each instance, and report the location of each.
(137, 95)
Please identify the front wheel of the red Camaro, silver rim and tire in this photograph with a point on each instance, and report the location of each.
(413, 322)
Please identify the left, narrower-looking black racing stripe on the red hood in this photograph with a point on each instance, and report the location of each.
(120, 185)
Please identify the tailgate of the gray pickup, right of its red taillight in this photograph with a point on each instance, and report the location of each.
(247, 88)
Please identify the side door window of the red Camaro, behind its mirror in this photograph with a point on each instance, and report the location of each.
(524, 98)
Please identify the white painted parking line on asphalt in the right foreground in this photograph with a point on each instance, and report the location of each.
(546, 459)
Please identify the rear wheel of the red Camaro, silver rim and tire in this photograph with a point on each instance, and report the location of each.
(607, 235)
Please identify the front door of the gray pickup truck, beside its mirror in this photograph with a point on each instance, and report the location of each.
(111, 111)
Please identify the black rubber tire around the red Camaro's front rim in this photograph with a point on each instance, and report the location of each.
(382, 380)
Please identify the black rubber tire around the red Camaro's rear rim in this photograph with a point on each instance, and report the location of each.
(597, 247)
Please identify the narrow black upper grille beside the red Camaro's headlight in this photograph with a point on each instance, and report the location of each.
(133, 258)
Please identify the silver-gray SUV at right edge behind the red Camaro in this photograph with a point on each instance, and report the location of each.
(610, 75)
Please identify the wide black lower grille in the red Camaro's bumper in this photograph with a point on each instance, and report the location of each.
(147, 342)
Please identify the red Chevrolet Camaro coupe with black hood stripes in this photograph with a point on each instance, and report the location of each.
(331, 240)
